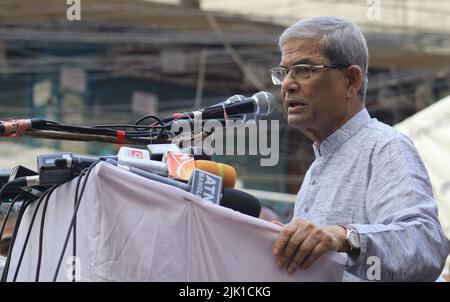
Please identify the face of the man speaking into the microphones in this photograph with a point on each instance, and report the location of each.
(318, 104)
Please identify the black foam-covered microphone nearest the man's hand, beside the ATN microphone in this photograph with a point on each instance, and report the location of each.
(241, 201)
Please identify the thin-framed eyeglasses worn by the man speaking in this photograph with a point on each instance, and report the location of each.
(300, 72)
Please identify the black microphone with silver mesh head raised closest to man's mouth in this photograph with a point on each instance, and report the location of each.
(261, 104)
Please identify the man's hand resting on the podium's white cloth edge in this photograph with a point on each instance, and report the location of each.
(301, 243)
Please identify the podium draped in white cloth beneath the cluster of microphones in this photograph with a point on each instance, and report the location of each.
(133, 229)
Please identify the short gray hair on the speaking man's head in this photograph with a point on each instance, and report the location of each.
(340, 40)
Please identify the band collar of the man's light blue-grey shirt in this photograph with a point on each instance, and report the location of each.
(340, 136)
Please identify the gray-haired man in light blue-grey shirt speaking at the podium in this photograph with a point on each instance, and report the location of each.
(367, 193)
